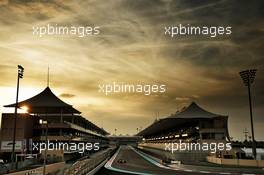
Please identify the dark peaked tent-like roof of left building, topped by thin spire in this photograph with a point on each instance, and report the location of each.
(46, 102)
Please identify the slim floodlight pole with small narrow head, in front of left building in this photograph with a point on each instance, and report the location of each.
(19, 75)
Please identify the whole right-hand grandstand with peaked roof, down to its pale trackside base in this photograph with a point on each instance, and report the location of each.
(191, 124)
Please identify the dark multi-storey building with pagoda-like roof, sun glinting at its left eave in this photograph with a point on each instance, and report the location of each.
(65, 124)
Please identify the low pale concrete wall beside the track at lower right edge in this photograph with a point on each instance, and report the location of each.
(237, 162)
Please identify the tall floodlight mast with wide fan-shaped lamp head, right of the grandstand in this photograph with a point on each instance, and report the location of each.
(248, 77)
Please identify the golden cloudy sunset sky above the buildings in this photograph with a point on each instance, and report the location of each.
(132, 48)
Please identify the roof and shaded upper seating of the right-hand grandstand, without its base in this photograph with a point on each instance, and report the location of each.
(192, 123)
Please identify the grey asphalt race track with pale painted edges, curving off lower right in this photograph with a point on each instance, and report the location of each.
(139, 163)
